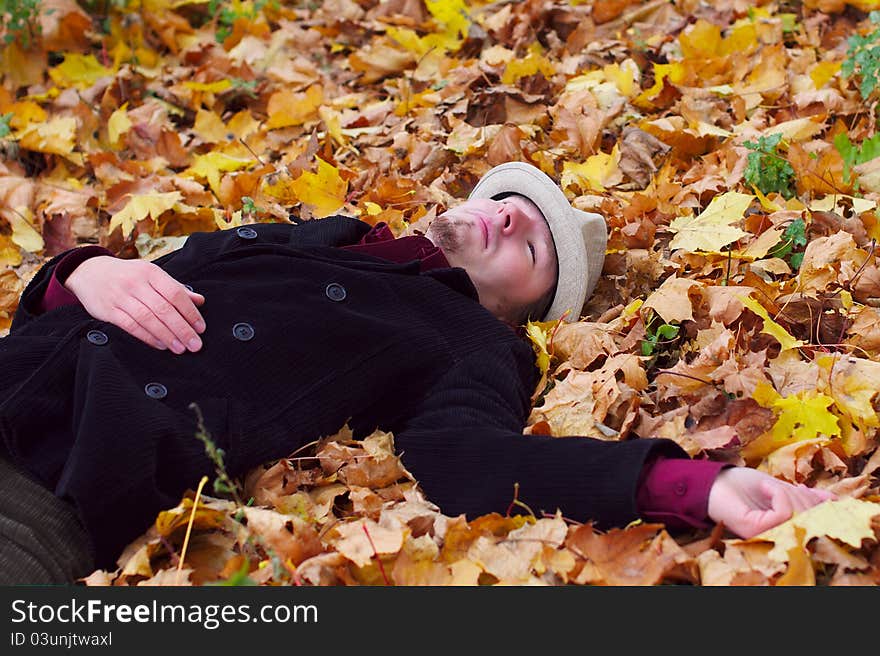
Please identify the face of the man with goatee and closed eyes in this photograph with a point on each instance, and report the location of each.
(505, 246)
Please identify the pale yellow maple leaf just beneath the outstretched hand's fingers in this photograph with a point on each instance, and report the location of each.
(847, 520)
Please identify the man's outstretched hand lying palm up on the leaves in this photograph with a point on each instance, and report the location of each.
(749, 502)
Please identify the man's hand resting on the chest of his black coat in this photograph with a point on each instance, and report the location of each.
(143, 300)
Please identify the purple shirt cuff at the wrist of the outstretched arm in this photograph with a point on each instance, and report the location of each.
(675, 491)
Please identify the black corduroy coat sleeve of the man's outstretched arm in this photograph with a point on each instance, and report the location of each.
(464, 444)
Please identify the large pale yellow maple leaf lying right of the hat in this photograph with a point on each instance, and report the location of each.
(711, 230)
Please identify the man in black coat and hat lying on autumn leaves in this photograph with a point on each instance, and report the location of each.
(282, 333)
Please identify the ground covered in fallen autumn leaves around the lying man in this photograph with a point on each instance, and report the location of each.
(731, 146)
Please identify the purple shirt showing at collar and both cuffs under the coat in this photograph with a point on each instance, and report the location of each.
(674, 491)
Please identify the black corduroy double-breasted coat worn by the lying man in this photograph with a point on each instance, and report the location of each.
(301, 337)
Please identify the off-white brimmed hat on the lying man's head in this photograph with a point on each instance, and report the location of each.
(580, 237)
